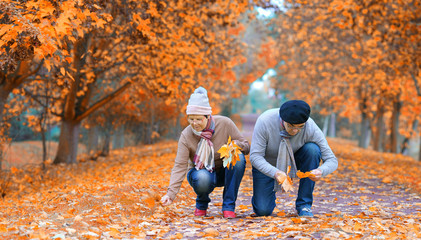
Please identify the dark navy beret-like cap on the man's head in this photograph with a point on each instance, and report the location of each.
(295, 111)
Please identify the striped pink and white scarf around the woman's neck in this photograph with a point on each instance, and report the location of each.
(204, 156)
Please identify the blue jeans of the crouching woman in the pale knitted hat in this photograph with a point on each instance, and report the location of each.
(203, 182)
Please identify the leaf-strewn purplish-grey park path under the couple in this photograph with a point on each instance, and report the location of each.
(351, 203)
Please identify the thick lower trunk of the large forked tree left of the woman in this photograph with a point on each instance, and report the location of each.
(68, 142)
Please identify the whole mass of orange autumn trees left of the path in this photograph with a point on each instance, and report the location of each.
(63, 62)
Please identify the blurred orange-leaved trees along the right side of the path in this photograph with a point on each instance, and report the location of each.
(353, 57)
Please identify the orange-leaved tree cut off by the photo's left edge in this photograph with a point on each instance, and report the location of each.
(29, 36)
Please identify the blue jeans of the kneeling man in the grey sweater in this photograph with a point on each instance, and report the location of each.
(307, 158)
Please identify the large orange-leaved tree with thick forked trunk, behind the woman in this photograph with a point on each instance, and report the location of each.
(166, 49)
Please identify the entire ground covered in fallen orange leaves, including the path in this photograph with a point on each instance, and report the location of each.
(370, 196)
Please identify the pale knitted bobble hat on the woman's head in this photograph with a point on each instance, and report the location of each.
(199, 103)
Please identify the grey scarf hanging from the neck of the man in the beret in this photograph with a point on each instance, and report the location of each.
(285, 156)
